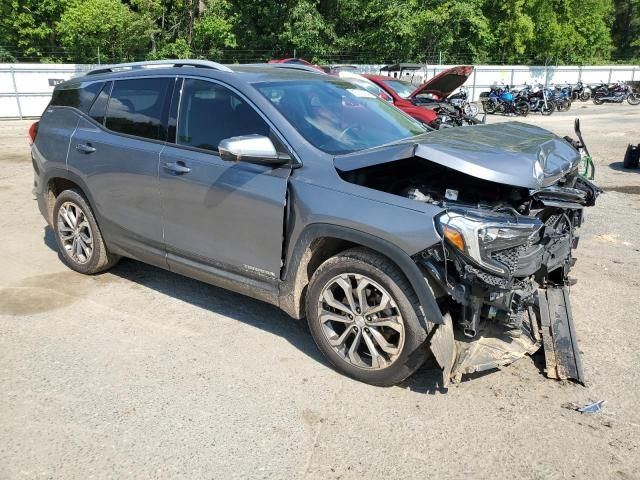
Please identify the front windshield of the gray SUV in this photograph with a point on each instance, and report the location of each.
(338, 117)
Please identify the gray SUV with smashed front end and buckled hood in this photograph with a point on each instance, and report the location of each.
(305, 191)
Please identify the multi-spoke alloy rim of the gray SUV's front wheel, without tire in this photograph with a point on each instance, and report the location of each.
(361, 321)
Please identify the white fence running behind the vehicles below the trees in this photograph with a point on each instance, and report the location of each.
(25, 89)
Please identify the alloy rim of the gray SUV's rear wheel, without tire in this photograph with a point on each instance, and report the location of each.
(75, 232)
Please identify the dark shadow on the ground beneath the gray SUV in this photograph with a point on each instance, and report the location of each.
(243, 309)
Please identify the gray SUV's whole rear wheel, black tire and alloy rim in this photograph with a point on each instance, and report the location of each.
(78, 236)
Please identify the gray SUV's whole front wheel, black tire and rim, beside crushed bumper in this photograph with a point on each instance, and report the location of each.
(363, 315)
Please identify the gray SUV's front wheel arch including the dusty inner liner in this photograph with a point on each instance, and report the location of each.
(318, 242)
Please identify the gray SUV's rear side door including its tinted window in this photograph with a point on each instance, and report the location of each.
(118, 154)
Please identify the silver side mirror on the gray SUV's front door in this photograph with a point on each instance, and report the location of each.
(251, 149)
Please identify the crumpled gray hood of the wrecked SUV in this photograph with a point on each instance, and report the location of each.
(511, 153)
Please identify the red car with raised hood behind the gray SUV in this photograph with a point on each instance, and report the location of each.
(439, 87)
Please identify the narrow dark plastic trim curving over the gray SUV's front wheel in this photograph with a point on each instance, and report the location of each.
(429, 308)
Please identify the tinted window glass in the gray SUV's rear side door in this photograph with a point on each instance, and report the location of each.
(136, 107)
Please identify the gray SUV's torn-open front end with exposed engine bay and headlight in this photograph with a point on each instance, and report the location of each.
(501, 273)
